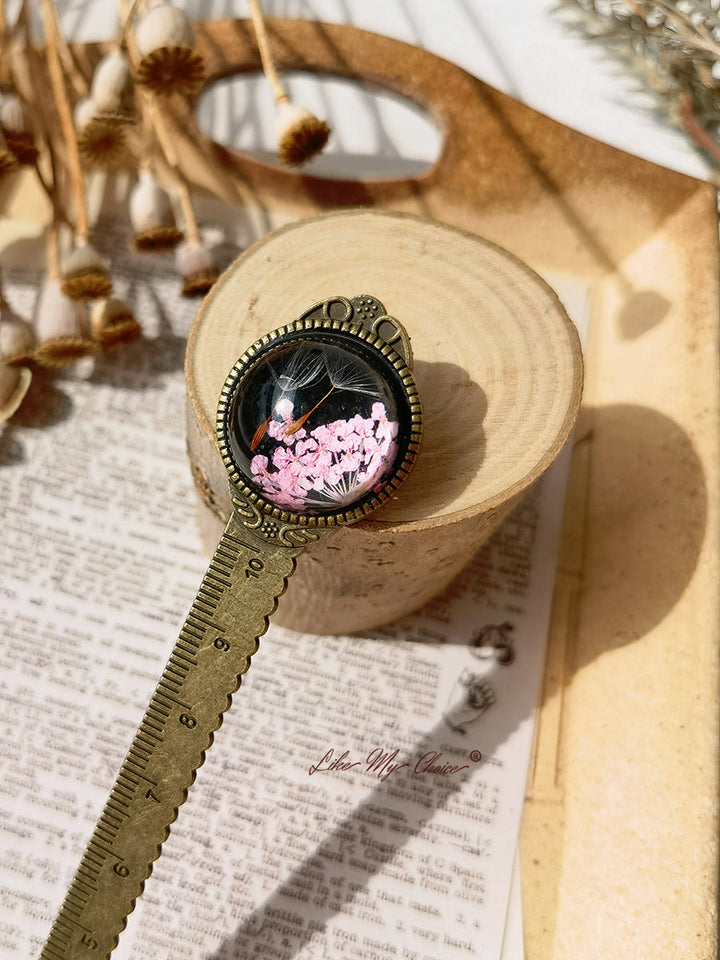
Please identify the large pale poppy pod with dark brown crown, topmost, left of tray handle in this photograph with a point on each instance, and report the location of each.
(166, 43)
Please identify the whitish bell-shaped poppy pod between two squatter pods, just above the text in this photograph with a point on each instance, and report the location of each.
(62, 328)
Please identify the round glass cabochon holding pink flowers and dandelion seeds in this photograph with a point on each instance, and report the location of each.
(318, 422)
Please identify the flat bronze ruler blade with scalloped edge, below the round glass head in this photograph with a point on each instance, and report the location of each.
(220, 635)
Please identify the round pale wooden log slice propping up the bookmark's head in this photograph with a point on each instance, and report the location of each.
(499, 370)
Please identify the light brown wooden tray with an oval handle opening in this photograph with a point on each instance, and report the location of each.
(619, 842)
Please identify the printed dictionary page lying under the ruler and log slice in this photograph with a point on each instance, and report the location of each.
(363, 795)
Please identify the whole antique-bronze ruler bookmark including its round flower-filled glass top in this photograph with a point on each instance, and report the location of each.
(318, 424)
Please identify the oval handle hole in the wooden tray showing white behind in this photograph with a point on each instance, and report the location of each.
(376, 134)
